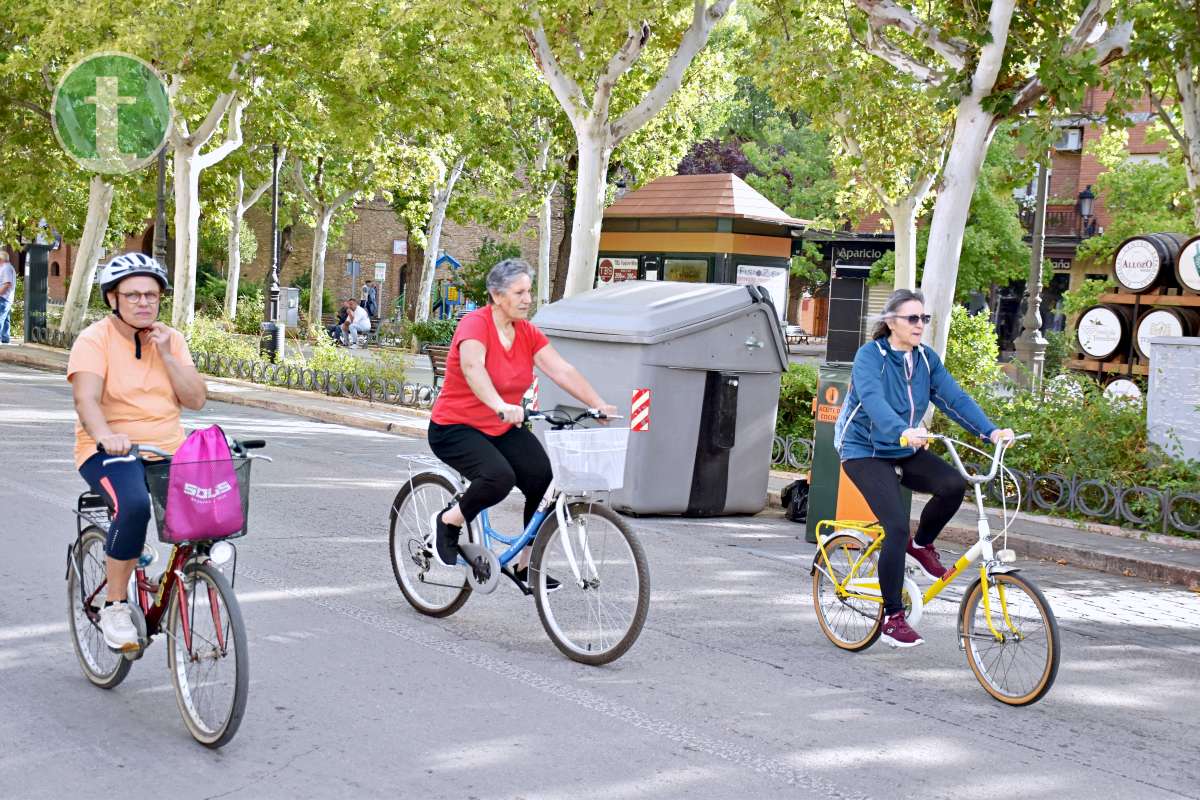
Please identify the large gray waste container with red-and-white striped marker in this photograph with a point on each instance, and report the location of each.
(711, 357)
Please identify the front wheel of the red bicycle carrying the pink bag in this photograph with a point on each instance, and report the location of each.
(208, 658)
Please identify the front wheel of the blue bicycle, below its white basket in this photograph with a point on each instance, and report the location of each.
(599, 609)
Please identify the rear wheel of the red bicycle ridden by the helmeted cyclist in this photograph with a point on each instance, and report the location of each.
(86, 576)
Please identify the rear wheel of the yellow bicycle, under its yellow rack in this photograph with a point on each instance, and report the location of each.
(851, 623)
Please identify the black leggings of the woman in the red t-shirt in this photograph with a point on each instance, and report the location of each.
(494, 466)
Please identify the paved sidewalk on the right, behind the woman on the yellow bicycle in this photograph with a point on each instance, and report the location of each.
(1106, 549)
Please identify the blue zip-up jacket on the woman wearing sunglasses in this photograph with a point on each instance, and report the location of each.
(886, 400)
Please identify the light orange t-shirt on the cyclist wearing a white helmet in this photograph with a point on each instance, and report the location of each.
(139, 399)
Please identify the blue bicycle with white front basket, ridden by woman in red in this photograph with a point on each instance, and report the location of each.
(587, 570)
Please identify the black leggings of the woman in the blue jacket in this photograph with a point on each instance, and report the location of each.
(923, 472)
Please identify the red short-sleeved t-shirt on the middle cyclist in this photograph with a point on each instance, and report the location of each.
(512, 372)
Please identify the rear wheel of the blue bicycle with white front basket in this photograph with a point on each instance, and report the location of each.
(429, 587)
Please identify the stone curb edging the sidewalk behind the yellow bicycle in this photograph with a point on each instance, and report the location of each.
(1028, 548)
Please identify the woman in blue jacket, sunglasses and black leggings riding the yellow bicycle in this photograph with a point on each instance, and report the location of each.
(893, 382)
